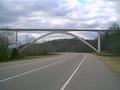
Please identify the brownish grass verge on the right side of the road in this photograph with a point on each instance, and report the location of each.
(112, 60)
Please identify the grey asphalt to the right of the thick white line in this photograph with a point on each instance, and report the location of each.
(94, 75)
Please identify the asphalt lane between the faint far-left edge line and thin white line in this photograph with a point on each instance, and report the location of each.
(19, 68)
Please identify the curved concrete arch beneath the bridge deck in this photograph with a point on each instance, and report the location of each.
(66, 33)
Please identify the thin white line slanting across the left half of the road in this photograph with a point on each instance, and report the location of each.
(32, 71)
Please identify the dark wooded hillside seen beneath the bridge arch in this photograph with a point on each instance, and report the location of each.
(60, 45)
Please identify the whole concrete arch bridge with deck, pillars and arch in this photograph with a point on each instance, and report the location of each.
(61, 31)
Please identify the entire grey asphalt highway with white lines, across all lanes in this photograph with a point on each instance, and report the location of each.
(69, 71)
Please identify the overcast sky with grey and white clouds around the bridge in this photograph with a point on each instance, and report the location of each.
(95, 14)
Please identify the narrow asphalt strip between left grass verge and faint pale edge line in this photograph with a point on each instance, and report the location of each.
(24, 62)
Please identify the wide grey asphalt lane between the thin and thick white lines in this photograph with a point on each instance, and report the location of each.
(51, 78)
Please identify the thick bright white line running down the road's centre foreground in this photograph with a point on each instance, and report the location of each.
(66, 83)
